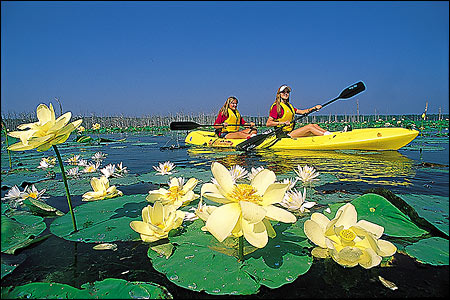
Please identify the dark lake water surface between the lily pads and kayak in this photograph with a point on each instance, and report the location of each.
(420, 168)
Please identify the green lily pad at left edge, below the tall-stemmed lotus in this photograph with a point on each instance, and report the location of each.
(20, 231)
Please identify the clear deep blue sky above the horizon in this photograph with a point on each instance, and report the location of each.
(159, 58)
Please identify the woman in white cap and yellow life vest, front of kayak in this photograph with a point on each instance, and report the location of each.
(282, 113)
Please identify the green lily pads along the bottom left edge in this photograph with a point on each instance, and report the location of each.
(110, 288)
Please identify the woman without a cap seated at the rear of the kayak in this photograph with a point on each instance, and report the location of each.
(228, 121)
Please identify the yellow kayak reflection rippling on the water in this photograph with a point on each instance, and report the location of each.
(376, 167)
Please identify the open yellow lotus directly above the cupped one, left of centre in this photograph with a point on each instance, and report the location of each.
(178, 194)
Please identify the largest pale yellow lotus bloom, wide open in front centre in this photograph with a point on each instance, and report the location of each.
(247, 208)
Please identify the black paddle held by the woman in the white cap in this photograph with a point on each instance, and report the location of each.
(257, 140)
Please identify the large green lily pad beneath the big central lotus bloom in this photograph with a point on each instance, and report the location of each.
(283, 259)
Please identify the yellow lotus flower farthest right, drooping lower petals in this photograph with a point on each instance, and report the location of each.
(347, 241)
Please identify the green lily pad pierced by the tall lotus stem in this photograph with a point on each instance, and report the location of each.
(102, 221)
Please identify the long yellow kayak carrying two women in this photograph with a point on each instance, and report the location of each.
(356, 139)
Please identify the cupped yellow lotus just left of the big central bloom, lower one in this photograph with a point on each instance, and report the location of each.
(157, 221)
